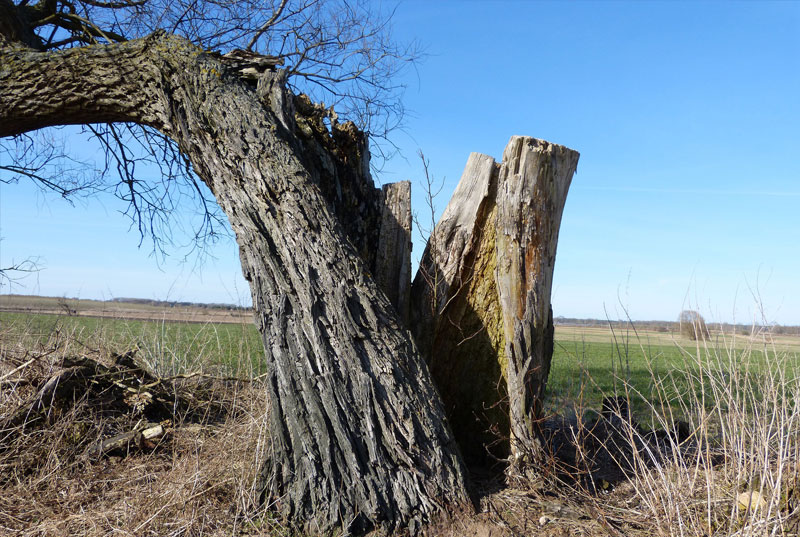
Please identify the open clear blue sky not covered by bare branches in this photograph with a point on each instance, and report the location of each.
(686, 115)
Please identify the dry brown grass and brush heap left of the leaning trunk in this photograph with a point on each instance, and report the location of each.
(195, 479)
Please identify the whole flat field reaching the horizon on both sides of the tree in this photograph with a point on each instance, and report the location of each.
(588, 363)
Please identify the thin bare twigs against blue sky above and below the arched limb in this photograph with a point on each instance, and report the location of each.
(340, 52)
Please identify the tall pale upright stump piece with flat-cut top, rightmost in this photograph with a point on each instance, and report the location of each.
(531, 194)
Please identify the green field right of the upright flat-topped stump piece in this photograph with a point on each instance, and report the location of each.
(591, 363)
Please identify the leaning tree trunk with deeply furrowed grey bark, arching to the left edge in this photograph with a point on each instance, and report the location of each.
(359, 437)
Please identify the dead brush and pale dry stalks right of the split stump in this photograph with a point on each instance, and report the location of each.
(720, 453)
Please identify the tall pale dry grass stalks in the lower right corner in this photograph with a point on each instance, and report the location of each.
(744, 408)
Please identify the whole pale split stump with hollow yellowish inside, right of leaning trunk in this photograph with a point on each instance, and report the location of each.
(481, 299)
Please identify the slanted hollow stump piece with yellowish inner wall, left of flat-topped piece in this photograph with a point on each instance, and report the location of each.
(455, 313)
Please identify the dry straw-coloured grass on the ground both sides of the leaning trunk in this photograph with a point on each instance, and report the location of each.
(741, 403)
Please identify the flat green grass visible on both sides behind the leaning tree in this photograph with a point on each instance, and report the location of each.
(588, 363)
